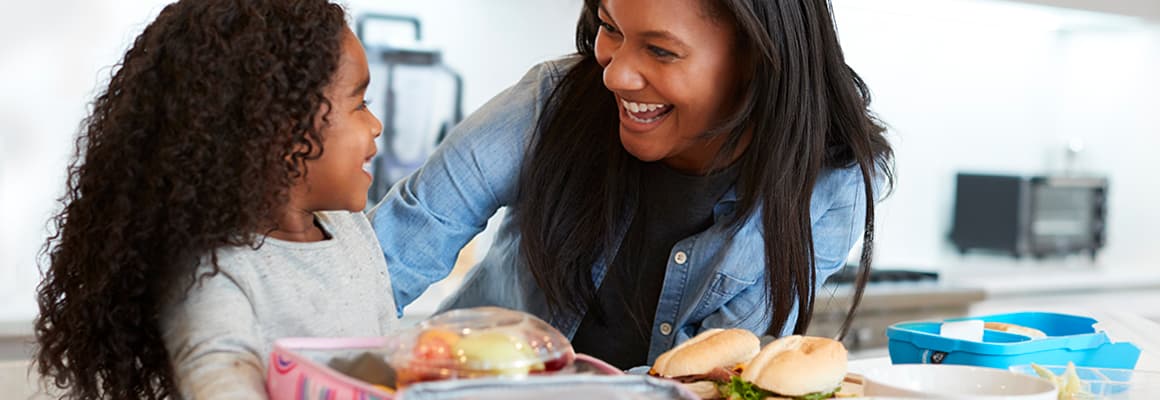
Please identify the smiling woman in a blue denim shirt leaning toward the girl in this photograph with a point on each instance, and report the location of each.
(699, 164)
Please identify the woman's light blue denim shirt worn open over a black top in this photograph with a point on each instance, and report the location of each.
(714, 279)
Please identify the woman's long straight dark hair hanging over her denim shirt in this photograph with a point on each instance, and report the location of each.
(808, 111)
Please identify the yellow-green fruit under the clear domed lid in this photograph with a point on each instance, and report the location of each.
(498, 353)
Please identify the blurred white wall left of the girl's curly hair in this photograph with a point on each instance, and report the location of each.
(52, 56)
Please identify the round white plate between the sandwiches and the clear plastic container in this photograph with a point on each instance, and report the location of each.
(954, 382)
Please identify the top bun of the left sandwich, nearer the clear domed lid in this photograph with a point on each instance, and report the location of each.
(708, 351)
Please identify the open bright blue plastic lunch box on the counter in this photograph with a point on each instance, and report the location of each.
(1070, 339)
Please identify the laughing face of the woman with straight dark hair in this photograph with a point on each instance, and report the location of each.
(676, 76)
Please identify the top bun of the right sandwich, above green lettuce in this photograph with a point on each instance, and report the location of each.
(799, 366)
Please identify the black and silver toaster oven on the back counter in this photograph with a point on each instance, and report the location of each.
(1029, 216)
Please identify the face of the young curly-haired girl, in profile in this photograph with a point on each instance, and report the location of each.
(339, 180)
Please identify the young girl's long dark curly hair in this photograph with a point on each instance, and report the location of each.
(194, 146)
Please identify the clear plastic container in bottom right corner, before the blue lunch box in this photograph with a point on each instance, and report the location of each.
(1107, 383)
